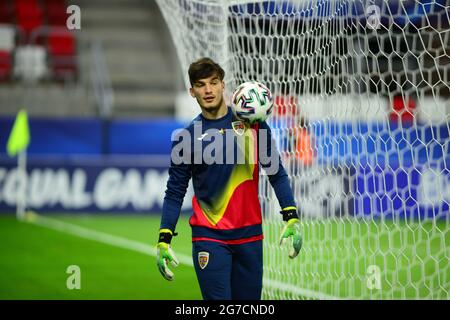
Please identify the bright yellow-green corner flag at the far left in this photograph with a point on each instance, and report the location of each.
(19, 137)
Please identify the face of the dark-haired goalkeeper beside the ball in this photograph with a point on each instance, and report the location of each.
(208, 92)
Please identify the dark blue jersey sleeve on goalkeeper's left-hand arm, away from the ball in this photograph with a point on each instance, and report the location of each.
(177, 184)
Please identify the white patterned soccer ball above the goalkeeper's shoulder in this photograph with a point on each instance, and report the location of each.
(252, 102)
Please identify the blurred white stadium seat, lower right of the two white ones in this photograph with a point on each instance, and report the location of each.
(30, 63)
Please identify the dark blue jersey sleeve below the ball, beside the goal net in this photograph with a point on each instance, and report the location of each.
(278, 178)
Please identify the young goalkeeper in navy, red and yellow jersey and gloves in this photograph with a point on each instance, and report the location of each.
(226, 222)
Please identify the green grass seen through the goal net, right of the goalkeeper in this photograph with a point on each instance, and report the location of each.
(412, 259)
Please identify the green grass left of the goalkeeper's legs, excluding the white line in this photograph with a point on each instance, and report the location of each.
(34, 260)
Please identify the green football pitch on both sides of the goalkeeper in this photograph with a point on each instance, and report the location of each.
(115, 255)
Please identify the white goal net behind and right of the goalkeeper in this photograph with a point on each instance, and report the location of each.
(362, 124)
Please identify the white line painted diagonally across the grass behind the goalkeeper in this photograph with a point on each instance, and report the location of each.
(150, 250)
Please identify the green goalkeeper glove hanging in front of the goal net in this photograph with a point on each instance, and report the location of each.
(291, 230)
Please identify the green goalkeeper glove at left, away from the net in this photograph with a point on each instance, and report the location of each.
(165, 254)
